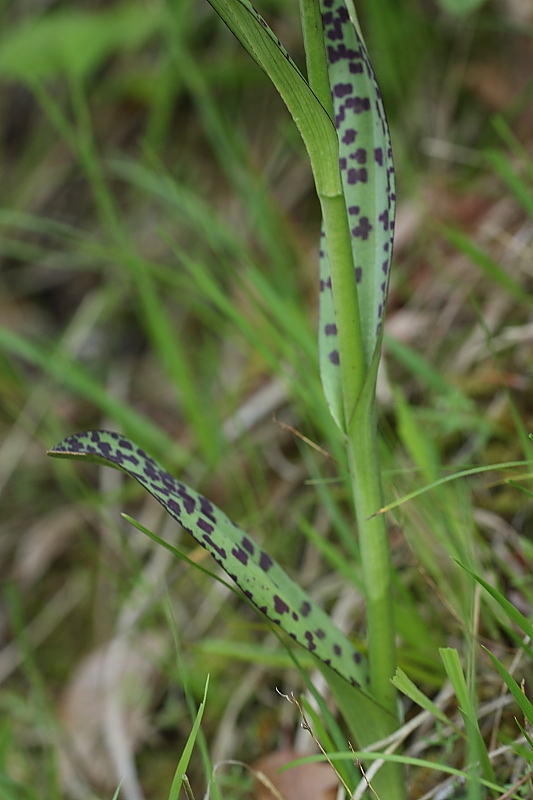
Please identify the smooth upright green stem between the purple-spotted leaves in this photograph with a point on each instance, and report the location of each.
(358, 387)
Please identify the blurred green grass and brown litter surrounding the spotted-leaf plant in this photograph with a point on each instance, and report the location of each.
(158, 243)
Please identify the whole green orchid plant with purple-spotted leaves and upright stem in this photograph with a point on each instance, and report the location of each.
(339, 112)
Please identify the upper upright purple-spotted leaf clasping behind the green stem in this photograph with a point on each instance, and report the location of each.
(367, 173)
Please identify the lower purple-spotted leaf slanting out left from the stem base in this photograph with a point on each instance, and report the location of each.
(260, 578)
